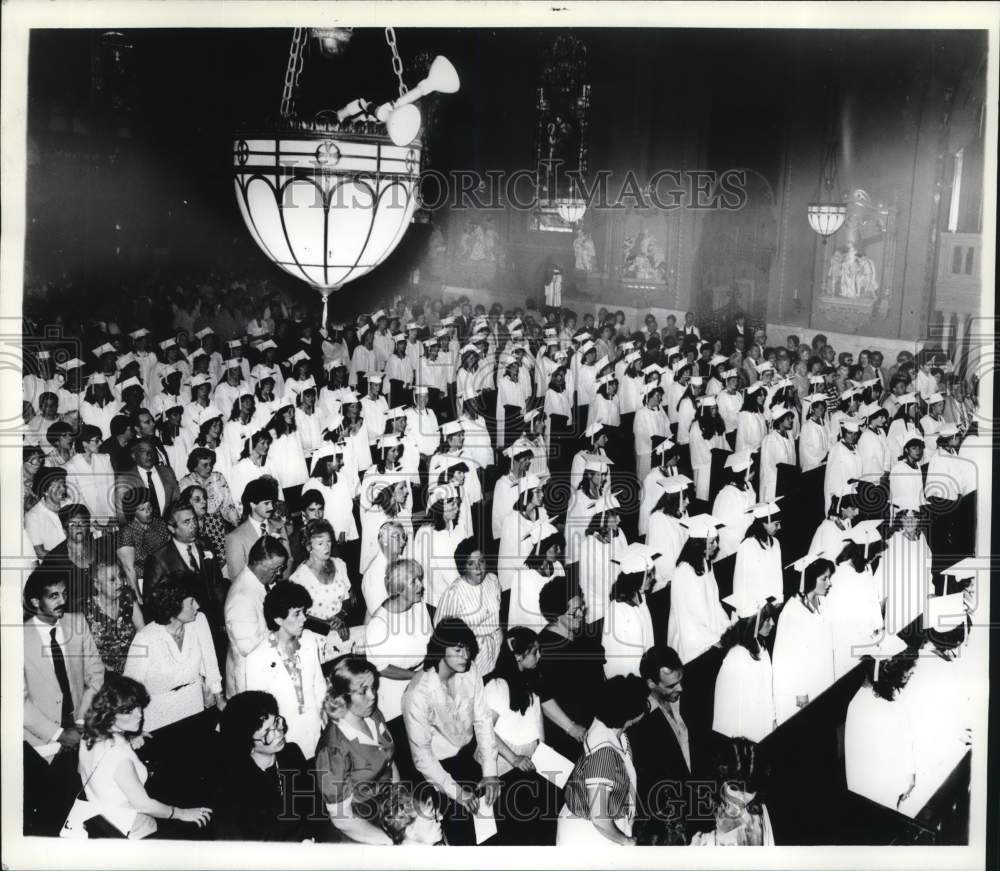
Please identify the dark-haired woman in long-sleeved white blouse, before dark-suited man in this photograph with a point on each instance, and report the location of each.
(174, 656)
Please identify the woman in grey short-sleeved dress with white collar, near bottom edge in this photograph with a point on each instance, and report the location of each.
(354, 759)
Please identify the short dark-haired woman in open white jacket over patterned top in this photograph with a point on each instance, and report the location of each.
(288, 664)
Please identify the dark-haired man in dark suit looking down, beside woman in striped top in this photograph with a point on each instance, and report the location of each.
(666, 757)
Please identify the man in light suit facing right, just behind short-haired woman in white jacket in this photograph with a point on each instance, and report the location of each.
(244, 611)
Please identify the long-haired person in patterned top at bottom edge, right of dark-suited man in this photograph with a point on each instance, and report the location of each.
(741, 818)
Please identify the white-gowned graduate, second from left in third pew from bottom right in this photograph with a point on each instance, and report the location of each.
(697, 618)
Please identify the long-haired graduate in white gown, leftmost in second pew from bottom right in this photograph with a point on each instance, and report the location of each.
(744, 687)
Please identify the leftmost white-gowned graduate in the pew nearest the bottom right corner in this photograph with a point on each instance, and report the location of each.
(878, 733)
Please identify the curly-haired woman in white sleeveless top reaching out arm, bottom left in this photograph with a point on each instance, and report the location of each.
(113, 775)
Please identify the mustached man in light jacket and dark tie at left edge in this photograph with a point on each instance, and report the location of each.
(62, 665)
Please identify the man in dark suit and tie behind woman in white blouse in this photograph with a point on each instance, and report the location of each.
(183, 553)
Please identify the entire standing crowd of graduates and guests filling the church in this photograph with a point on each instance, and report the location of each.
(439, 568)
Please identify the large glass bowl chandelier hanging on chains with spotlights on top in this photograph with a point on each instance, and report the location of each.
(328, 199)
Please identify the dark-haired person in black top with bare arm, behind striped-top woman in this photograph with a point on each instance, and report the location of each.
(570, 668)
